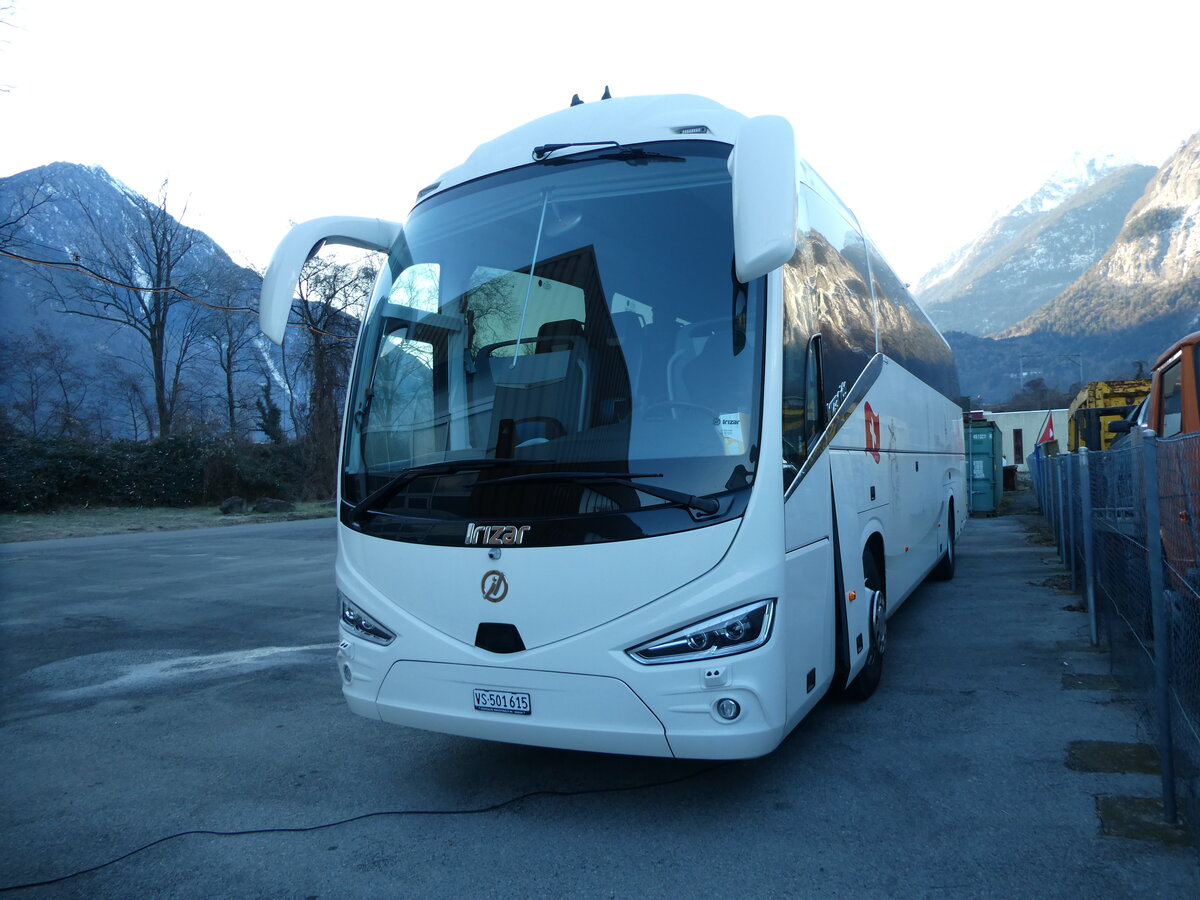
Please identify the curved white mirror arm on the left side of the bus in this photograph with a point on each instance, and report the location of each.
(299, 247)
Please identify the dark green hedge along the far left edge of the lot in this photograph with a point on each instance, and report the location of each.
(43, 475)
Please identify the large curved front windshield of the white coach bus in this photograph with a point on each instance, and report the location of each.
(561, 341)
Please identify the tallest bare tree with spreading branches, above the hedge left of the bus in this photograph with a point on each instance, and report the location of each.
(145, 286)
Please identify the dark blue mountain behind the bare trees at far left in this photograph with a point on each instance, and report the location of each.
(70, 237)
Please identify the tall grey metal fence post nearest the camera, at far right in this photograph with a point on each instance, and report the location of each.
(1159, 622)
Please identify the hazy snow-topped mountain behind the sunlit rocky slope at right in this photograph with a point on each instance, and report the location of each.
(1037, 249)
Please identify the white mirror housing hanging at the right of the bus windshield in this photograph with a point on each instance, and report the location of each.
(763, 167)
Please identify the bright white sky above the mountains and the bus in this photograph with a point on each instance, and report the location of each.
(927, 118)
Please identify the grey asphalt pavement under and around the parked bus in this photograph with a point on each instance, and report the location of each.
(172, 725)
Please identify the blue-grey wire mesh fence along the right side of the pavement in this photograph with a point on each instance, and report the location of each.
(1127, 524)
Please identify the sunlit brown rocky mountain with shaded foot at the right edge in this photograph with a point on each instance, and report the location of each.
(1138, 298)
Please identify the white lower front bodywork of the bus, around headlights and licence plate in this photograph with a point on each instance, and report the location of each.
(586, 692)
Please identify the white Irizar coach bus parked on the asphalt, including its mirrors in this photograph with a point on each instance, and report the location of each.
(645, 442)
